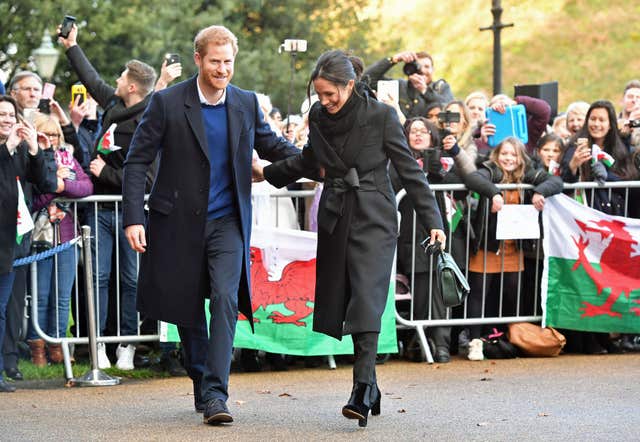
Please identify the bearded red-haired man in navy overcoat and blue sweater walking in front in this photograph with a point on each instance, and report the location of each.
(196, 240)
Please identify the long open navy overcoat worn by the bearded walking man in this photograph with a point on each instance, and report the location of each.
(173, 280)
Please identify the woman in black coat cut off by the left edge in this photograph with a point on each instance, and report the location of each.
(20, 158)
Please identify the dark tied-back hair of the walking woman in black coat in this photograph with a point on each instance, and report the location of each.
(337, 67)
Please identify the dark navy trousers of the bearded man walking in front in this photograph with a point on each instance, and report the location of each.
(207, 360)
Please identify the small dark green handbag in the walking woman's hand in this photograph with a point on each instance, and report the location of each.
(453, 286)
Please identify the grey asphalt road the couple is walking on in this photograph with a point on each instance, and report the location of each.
(570, 398)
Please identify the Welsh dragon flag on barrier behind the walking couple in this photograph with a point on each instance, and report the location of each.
(283, 275)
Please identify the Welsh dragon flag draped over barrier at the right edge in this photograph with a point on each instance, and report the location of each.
(591, 277)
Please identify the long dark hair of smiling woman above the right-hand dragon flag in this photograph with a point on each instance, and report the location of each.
(613, 144)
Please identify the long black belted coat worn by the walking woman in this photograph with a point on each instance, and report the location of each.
(357, 218)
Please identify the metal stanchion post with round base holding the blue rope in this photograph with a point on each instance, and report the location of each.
(95, 377)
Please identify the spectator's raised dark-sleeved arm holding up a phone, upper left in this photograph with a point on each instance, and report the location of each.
(89, 77)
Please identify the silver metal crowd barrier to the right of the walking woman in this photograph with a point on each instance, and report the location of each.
(406, 320)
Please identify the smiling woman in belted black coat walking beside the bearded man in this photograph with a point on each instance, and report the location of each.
(352, 137)
